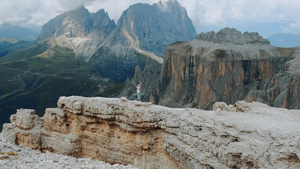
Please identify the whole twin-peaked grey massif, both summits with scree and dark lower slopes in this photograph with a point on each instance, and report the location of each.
(142, 31)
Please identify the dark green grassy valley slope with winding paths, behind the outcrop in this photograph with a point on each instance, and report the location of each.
(35, 78)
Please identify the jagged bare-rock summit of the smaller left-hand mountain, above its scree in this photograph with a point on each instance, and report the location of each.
(78, 23)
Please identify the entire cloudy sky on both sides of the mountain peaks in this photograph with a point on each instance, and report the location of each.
(266, 17)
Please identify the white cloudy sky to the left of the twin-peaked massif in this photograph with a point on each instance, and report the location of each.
(36, 12)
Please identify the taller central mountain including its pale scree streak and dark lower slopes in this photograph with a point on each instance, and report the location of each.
(142, 31)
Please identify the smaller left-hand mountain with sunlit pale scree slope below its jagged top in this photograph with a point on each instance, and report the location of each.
(79, 30)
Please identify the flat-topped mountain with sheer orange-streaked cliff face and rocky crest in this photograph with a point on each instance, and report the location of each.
(241, 66)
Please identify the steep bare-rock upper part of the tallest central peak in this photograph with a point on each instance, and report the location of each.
(152, 27)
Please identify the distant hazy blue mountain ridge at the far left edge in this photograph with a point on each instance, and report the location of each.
(15, 32)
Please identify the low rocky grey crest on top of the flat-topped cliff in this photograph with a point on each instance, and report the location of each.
(231, 35)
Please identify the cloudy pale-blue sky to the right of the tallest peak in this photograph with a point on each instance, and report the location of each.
(263, 16)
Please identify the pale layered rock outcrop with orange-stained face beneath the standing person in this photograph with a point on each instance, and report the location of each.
(244, 135)
